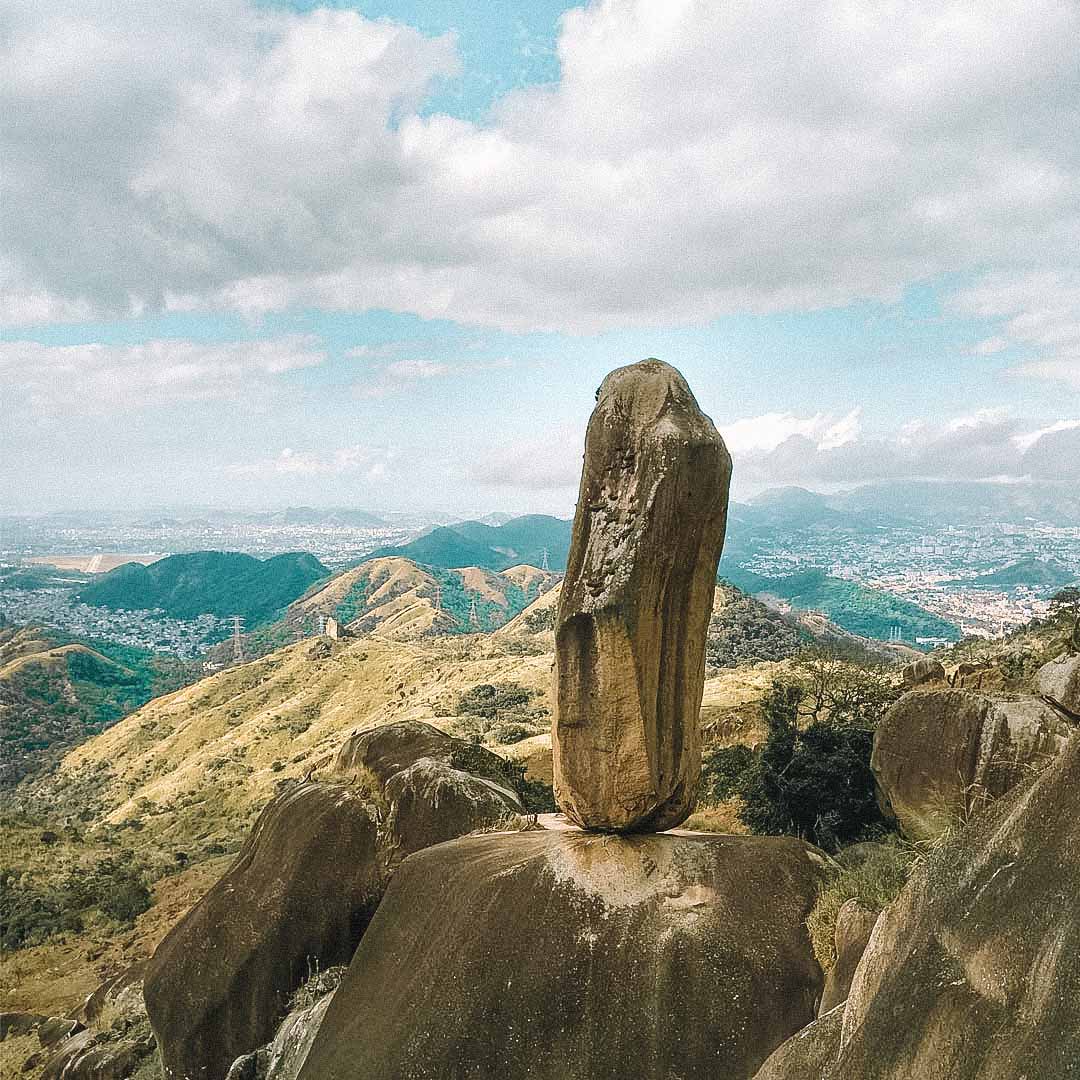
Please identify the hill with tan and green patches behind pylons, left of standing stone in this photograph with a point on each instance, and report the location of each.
(396, 598)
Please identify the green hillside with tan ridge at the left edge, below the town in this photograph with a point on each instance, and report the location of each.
(57, 692)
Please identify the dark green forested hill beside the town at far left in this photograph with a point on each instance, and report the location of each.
(215, 583)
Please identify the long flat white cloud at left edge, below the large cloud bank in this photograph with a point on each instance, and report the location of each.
(98, 379)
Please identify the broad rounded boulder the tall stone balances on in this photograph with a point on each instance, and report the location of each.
(577, 956)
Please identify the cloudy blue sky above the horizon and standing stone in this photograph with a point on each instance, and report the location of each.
(382, 254)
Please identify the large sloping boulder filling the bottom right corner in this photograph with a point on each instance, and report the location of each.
(974, 974)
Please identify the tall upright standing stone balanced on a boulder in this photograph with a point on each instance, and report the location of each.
(630, 644)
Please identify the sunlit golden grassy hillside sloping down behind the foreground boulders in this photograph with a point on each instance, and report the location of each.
(169, 792)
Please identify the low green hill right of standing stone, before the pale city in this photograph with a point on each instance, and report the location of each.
(858, 610)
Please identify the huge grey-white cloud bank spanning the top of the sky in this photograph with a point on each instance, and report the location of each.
(695, 158)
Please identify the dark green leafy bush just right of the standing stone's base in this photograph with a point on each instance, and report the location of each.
(815, 784)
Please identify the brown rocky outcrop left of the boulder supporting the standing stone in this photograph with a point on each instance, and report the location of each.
(305, 886)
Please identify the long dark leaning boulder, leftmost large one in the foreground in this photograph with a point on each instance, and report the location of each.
(299, 897)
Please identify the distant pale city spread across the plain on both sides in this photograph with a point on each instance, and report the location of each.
(984, 577)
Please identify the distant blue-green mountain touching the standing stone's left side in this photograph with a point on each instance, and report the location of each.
(491, 547)
